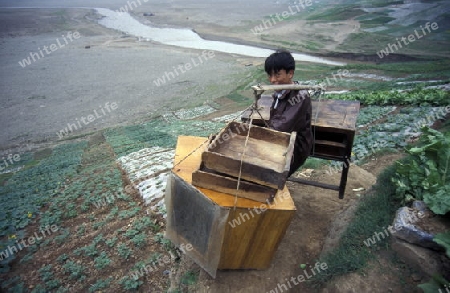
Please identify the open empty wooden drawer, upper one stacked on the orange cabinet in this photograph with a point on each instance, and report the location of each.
(267, 156)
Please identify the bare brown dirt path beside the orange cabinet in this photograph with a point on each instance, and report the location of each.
(320, 217)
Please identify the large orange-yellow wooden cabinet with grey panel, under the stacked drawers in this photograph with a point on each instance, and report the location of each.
(258, 227)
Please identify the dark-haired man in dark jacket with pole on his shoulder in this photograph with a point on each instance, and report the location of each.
(291, 109)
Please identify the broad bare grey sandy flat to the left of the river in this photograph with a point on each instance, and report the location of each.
(42, 98)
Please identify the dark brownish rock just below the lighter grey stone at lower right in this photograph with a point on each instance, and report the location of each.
(420, 258)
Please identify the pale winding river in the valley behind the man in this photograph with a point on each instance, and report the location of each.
(186, 38)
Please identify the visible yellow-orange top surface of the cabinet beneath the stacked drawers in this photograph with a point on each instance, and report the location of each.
(190, 145)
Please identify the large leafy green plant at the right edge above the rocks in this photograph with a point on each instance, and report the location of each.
(425, 174)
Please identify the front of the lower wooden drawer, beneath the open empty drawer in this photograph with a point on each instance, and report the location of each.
(228, 185)
